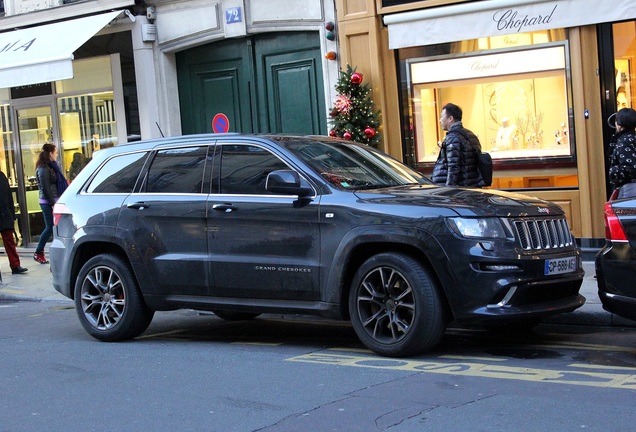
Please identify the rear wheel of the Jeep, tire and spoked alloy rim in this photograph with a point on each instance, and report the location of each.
(108, 301)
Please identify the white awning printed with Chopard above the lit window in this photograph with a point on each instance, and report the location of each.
(486, 18)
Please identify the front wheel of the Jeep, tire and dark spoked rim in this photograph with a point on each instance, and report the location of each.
(395, 307)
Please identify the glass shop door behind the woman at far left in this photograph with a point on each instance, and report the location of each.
(34, 128)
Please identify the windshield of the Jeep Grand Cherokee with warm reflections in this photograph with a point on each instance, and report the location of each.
(348, 165)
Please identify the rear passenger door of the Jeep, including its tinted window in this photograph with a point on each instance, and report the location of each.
(167, 222)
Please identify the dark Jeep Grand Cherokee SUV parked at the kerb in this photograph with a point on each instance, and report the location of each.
(243, 225)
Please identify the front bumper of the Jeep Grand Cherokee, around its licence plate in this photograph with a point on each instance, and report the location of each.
(497, 285)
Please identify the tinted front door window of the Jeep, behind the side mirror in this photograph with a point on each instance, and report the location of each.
(244, 169)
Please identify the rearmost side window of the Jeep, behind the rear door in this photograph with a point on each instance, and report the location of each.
(118, 175)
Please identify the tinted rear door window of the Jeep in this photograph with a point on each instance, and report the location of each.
(178, 170)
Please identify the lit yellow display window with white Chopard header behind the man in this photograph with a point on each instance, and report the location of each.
(516, 102)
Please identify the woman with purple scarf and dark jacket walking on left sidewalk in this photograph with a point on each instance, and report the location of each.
(51, 185)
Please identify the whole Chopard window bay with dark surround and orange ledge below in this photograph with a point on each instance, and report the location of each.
(515, 93)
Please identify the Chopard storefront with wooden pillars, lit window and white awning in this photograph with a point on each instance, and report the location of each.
(537, 81)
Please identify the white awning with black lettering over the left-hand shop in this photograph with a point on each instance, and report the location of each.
(45, 53)
